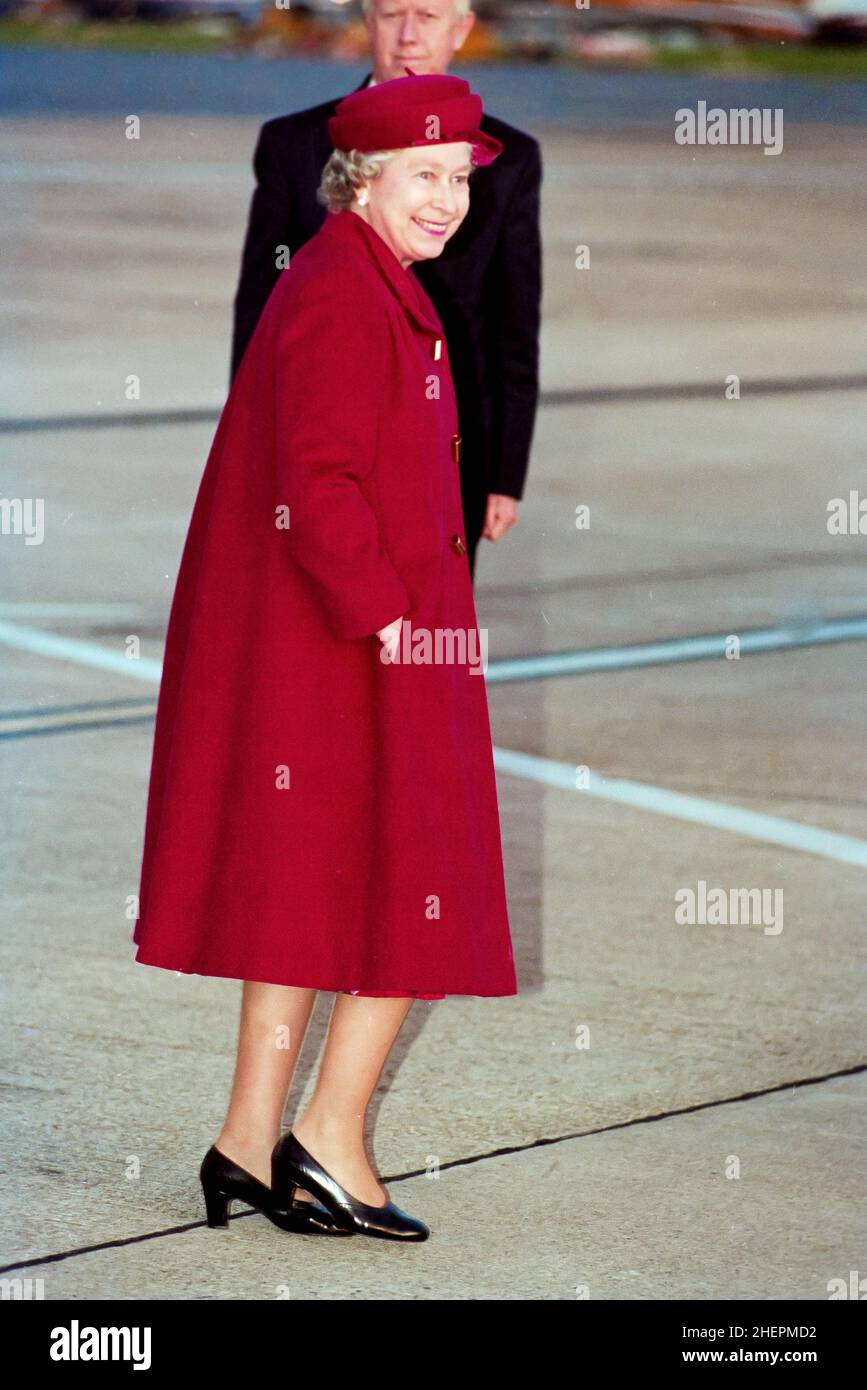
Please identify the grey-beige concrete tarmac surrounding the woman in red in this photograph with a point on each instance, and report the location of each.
(666, 1111)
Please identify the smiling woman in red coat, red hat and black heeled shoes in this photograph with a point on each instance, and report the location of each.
(323, 807)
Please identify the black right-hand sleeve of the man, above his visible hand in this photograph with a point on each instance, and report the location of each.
(516, 297)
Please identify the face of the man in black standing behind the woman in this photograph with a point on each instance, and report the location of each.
(422, 35)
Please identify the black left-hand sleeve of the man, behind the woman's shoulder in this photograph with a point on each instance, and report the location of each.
(267, 229)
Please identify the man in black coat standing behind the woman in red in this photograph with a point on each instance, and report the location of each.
(486, 286)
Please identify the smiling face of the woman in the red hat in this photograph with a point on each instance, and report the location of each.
(419, 201)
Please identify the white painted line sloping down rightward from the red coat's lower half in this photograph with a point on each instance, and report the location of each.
(737, 819)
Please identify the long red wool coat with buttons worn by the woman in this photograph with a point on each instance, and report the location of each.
(316, 817)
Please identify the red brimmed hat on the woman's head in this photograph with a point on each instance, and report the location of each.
(415, 111)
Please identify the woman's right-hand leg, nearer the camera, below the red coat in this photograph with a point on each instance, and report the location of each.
(361, 1036)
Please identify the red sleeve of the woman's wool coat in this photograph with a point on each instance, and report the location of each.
(333, 376)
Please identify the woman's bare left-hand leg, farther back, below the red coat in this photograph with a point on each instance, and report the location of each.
(273, 1025)
